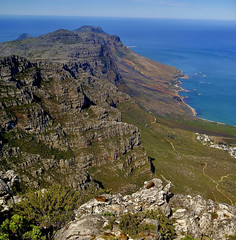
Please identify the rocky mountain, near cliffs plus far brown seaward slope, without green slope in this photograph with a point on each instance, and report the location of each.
(61, 97)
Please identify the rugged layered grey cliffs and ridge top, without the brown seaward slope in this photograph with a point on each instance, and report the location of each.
(59, 116)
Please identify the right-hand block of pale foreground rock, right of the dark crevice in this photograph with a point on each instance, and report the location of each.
(199, 217)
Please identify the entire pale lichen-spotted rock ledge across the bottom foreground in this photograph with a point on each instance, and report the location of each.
(194, 216)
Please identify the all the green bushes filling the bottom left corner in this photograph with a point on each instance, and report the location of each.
(41, 213)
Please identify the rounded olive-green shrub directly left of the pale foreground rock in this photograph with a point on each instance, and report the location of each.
(52, 207)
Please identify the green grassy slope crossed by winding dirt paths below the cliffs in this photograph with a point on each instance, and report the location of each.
(193, 168)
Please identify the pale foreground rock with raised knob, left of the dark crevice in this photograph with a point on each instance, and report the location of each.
(93, 217)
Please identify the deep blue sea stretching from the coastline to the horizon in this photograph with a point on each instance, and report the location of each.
(204, 50)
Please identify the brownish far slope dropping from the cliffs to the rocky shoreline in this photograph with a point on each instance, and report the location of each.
(153, 85)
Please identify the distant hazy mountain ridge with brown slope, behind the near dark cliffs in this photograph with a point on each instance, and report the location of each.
(153, 85)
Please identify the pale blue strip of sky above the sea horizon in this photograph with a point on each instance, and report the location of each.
(184, 9)
